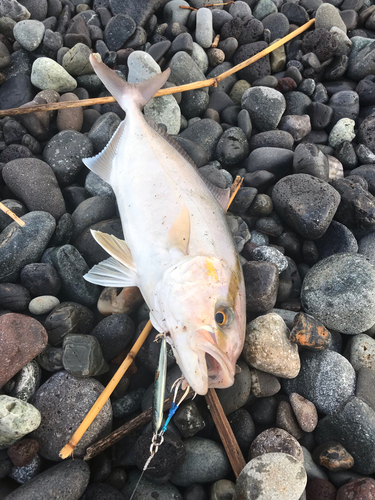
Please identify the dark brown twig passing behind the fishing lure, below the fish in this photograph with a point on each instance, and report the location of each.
(122, 431)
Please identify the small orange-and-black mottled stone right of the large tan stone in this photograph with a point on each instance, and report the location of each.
(309, 333)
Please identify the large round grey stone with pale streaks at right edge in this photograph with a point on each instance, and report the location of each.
(340, 291)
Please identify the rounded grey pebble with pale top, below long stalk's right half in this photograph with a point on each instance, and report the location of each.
(265, 106)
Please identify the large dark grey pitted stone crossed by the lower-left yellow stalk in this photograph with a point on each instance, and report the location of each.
(61, 401)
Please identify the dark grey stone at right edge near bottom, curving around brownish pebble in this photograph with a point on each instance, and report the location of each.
(353, 425)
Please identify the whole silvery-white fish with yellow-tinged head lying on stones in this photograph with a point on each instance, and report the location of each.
(177, 248)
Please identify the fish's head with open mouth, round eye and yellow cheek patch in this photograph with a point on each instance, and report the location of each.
(202, 303)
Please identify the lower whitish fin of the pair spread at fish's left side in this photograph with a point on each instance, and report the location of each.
(111, 272)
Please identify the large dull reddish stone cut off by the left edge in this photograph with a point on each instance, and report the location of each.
(21, 339)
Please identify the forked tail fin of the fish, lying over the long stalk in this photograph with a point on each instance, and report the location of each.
(127, 93)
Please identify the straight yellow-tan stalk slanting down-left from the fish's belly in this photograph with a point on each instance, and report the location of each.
(100, 402)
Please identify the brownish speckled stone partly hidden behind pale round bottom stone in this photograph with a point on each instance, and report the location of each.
(275, 440)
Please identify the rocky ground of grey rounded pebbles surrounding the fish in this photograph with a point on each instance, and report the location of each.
(299, 126)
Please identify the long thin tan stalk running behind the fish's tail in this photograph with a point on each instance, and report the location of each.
(211, 82)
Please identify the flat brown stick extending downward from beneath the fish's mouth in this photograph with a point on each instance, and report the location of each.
(229, 441)
